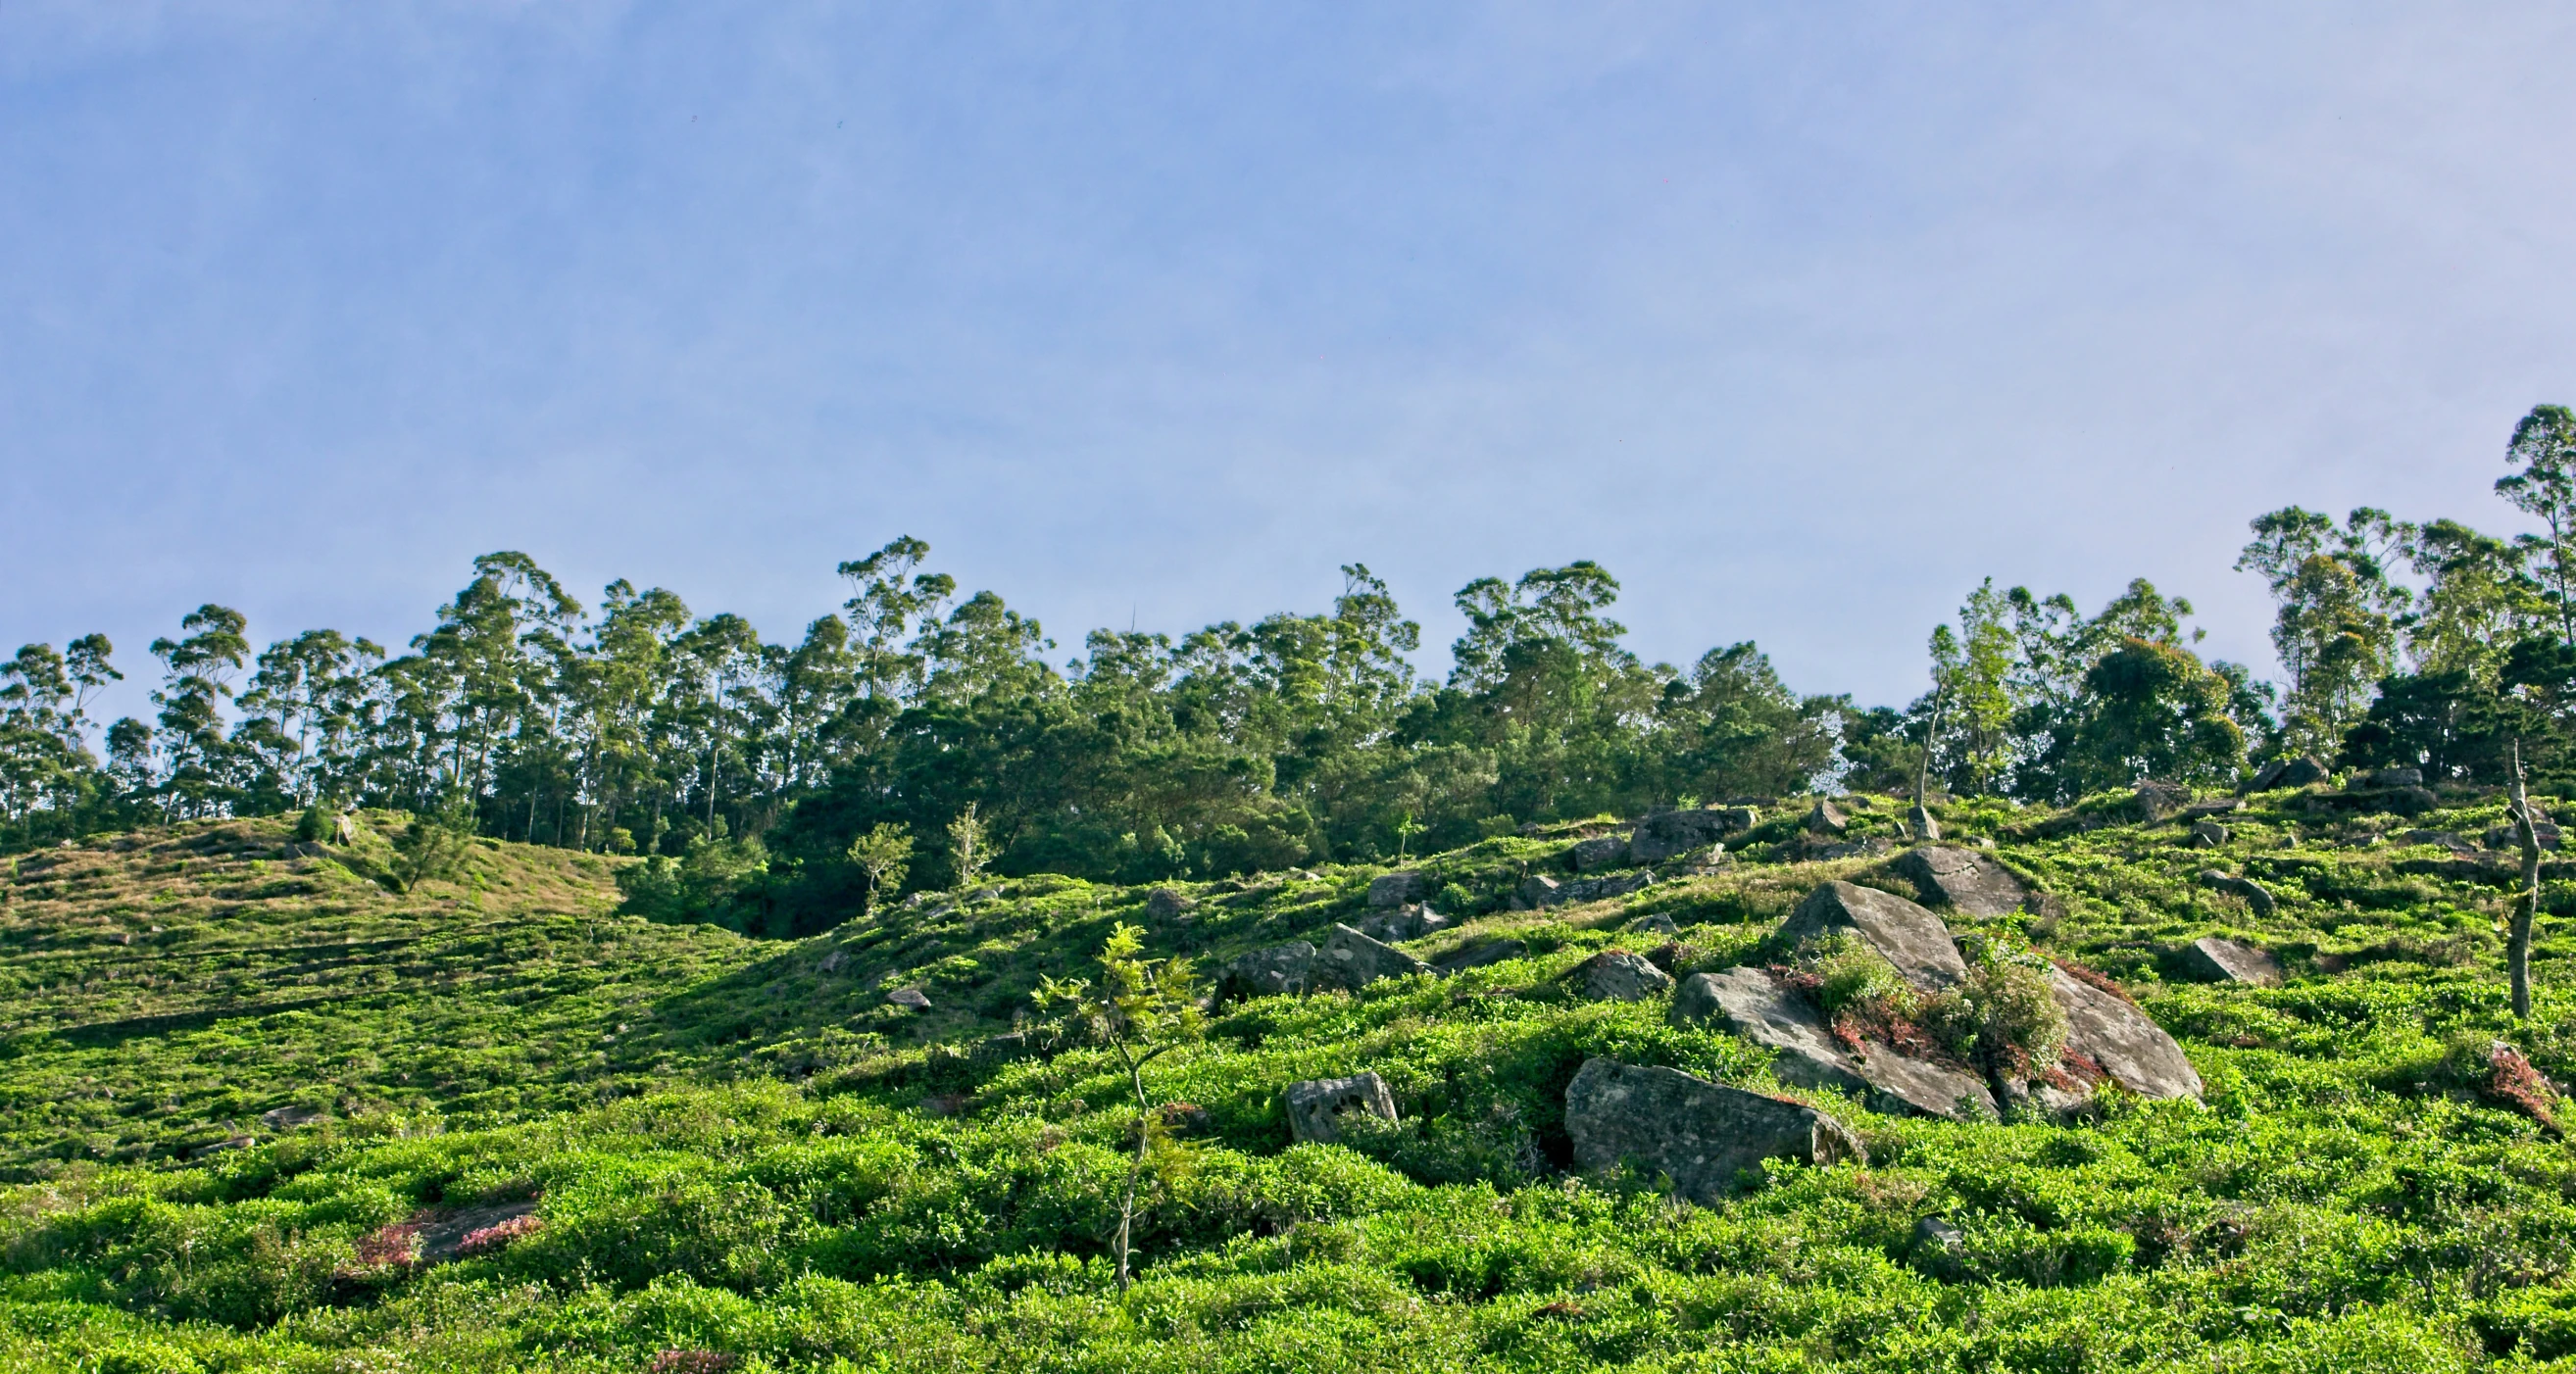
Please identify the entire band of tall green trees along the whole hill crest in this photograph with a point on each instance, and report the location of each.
(751, 767)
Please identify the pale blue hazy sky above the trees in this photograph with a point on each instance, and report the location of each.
(1799, 318)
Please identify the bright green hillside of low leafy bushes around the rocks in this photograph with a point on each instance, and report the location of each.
(826, 1179)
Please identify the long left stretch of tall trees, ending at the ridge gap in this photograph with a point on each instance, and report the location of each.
(640, 728)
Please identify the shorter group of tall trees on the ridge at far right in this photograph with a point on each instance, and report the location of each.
(2402, 643)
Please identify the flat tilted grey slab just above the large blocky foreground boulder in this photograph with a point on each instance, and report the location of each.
(1763, 1009)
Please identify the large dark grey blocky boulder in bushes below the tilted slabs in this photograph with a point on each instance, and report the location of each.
(1696, 1133)
